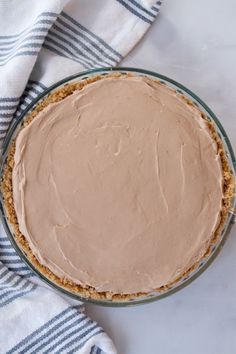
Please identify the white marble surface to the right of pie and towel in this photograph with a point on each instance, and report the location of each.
(193, 42)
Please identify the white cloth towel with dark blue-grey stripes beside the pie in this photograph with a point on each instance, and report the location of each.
(40, 43)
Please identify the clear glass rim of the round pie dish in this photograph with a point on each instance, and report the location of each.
(205, 262)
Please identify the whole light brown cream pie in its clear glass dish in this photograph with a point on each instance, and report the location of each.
(117, 186)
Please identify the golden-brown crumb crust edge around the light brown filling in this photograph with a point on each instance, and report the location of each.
(88, 291)
